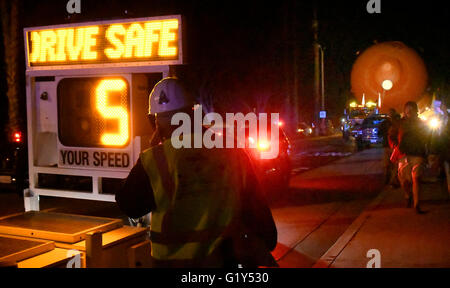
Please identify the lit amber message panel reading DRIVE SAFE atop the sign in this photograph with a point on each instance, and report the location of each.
(105, 42)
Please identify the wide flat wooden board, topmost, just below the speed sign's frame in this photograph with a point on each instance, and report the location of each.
(56, 226)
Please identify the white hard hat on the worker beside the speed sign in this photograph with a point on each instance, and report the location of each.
(168, 95)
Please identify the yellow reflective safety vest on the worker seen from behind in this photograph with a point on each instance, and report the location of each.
(196, 193)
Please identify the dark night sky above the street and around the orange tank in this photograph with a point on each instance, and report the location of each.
(250, 53)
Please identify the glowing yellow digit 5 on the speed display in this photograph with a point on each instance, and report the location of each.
(113, 112)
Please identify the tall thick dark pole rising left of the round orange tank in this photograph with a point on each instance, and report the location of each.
(315, 27)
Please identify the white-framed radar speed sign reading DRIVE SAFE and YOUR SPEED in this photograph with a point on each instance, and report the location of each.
(87, 98)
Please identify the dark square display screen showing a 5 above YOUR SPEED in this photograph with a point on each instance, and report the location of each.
(93, 112)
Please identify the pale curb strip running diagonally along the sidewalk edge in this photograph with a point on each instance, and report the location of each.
(334, 251)
